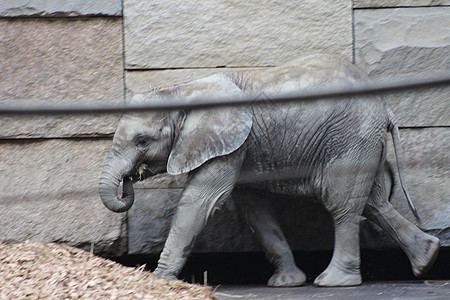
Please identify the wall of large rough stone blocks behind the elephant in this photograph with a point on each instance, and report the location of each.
(103, 51)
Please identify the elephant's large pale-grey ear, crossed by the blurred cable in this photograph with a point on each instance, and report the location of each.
(209, 133)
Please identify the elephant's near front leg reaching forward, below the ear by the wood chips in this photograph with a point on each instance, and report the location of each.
(206, 190)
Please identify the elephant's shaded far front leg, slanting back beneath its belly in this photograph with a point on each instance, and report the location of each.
(255, 208)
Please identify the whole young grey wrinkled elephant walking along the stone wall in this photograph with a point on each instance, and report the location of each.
(333, 150)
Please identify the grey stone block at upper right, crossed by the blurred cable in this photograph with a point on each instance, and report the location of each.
(391, 42)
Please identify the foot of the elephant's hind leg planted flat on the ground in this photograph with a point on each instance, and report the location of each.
(334, 276)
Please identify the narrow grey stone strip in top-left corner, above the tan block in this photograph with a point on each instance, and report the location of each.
(57, 8)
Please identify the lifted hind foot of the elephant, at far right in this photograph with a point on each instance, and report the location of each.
(424, 257)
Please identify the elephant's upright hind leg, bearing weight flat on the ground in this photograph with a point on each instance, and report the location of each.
(344, 196)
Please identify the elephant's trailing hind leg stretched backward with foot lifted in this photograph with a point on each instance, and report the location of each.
(421, 248)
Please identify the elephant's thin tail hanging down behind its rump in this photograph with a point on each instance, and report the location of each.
(393, 128)
